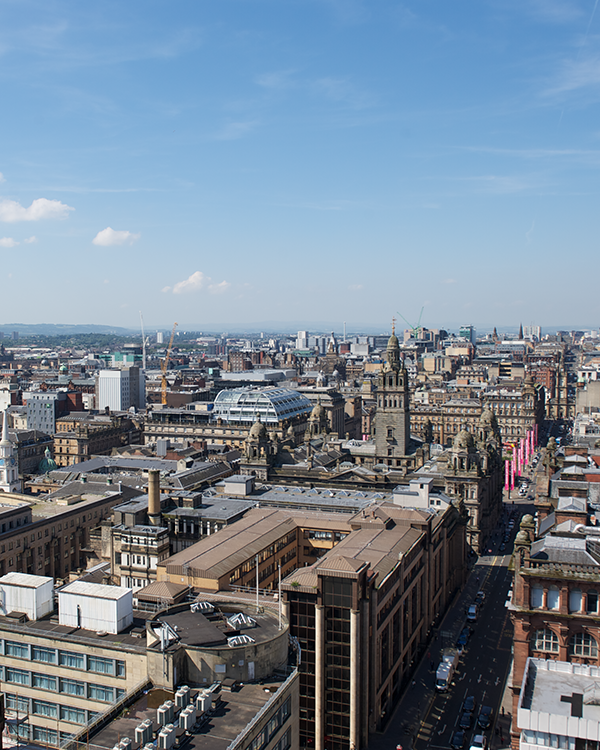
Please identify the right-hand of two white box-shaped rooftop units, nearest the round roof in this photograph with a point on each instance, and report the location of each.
(94, 606)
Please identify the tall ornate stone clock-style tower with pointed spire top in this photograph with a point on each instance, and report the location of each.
(392, 420)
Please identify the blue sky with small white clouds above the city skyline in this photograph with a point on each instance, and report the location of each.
(300, 160)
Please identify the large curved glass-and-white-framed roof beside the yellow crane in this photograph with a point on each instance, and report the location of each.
(270, 405)
